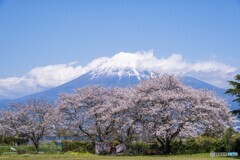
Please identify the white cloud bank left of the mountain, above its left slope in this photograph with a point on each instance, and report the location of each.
(37, 79)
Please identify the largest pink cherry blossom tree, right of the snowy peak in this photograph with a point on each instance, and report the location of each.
(168, 109)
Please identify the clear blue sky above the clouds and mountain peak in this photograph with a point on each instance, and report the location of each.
(50, 32)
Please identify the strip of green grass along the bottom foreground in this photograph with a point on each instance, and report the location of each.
(96, 157)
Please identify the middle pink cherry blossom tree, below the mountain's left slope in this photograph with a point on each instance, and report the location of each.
(92, 110)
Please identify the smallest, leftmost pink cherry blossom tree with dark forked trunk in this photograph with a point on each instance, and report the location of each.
(32, 120)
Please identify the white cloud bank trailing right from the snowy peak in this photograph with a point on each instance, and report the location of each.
(176, 64)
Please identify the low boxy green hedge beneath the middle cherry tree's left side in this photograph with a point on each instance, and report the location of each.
(82, 147)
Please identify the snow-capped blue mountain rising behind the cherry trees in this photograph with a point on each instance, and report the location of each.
(121, 70)
